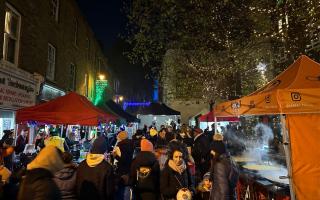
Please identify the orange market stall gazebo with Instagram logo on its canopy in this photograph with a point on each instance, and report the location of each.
(295, 95)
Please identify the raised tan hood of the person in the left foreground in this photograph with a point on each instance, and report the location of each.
(49, 159)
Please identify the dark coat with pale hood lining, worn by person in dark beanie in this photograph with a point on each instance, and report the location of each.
(95, 182)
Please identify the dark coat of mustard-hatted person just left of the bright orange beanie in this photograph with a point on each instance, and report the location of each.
(124, 161)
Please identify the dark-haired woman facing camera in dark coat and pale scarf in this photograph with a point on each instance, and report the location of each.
(175, 176)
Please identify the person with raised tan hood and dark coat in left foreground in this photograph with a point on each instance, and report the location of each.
(38, 183)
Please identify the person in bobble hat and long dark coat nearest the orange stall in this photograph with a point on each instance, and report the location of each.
(221, 168)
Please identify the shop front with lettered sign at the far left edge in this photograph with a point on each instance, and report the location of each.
(17, 90)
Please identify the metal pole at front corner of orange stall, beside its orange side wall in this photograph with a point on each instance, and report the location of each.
(287, 150)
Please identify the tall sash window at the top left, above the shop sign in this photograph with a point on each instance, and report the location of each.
(11, 35)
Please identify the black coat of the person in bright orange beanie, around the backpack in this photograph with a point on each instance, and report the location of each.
(146, 159)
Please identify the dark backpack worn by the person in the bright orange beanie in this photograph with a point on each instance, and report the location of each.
(145, 181)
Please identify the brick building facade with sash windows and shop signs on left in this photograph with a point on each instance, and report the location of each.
(46, 49)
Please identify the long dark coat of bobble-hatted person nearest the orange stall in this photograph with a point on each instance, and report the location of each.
(221, 170)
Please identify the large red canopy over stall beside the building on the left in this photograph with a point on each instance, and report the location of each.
(69, 109)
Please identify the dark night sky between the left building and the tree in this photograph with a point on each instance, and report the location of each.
(107, 22)
